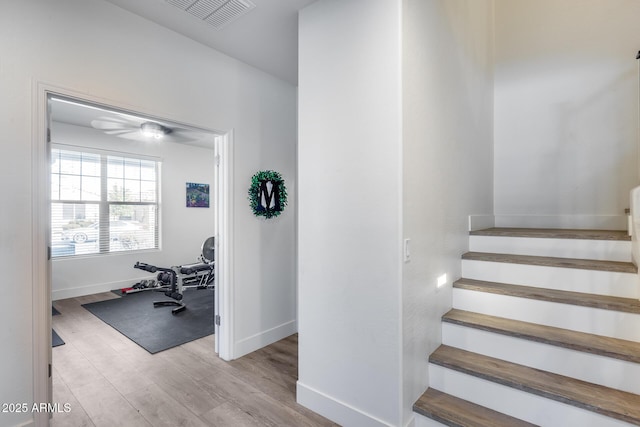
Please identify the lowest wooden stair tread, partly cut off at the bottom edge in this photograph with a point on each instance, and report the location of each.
(453, 411)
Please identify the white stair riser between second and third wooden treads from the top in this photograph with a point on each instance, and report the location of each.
(566, 279)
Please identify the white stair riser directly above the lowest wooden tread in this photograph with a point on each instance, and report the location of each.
(514, 402)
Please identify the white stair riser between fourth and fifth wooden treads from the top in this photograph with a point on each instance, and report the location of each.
(589, 367)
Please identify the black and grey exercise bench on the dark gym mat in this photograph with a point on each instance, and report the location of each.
(176, 279)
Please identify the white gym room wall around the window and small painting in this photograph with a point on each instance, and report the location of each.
(182, 229)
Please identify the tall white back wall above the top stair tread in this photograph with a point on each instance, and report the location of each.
(566, 111)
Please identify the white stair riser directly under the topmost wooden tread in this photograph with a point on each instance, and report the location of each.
(611, 250)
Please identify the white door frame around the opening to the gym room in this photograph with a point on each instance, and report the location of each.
(41, 234)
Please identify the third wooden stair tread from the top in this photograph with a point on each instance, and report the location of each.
(605, 302)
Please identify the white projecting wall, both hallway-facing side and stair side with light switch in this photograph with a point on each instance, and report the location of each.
(396, 142)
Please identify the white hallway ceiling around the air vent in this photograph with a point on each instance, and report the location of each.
(266, 37)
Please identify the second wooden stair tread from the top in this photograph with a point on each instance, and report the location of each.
(585, 264)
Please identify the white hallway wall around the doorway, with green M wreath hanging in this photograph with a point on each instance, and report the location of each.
(92, 47)
